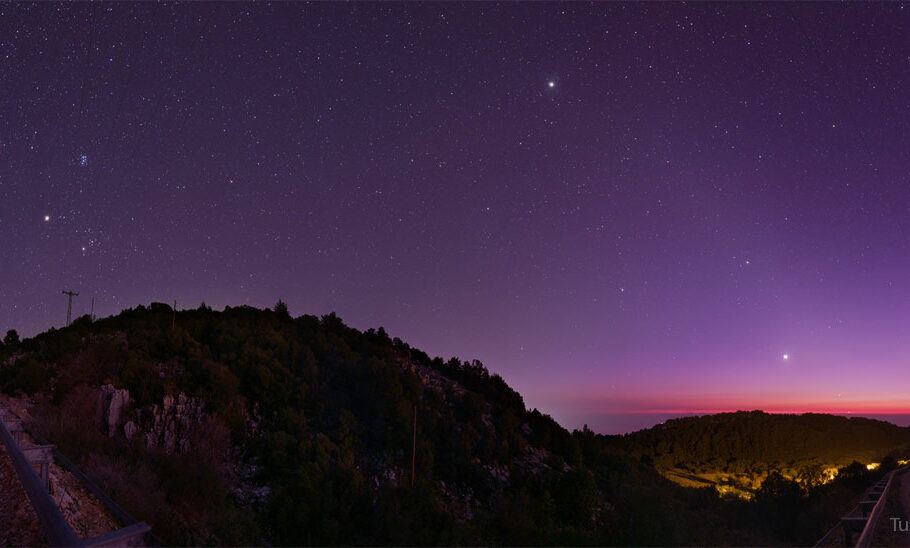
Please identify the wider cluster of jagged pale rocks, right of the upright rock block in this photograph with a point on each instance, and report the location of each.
(174, 423)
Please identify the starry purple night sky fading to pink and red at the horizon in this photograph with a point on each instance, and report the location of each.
(621, 208)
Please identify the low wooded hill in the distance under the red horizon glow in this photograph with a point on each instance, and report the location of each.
(756, 442)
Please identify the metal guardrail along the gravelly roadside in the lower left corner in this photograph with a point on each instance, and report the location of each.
(53, 523)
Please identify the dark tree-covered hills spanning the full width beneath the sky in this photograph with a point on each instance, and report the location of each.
(249, 426)
